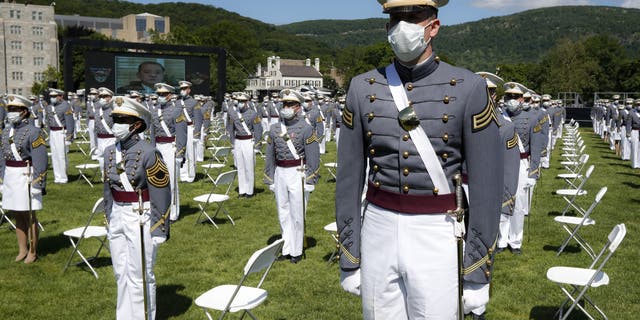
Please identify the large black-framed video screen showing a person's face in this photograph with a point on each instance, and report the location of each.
(124, 71)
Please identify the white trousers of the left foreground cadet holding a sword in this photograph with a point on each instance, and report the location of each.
(126, 257)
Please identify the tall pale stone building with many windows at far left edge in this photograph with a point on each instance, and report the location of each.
(28, 45)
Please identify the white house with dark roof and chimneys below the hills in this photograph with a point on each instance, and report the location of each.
(284, 73)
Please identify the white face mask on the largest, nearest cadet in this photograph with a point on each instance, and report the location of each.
(407, 40)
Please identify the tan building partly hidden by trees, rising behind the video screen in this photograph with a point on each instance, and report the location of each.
(130, 28)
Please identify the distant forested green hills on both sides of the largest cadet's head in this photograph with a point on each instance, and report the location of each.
(521, 37)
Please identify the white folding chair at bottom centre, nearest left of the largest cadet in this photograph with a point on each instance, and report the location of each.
(233, 298)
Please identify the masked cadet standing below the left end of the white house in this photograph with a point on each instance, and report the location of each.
(244, 128)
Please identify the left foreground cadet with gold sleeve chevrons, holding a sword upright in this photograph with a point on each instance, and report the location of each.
(137, 197)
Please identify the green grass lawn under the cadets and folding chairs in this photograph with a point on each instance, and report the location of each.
(199, 257)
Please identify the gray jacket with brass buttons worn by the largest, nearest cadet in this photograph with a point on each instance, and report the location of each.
(459, 118)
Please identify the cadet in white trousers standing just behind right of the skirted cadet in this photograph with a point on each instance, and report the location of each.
(61, 128)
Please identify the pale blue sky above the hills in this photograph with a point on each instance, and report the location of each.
(457, 11)
